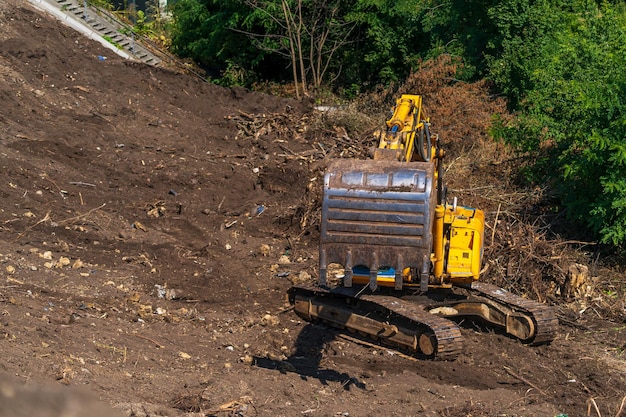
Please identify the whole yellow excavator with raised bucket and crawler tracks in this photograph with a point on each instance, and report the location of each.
(404, 265)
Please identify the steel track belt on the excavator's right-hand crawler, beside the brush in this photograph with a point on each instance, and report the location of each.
(544, 317)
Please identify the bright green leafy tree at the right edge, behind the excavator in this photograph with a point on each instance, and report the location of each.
(562, 65)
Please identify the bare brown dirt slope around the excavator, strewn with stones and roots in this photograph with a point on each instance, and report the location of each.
(150, 226)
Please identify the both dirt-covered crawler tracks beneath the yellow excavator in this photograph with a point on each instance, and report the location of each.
(410, 326)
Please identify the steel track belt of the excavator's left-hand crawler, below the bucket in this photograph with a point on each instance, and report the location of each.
(441, 335)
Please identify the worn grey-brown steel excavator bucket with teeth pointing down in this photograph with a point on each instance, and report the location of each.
(377, 214)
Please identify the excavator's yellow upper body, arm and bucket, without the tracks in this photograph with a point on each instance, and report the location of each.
(385, 219)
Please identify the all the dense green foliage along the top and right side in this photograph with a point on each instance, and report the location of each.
(560, 63)
